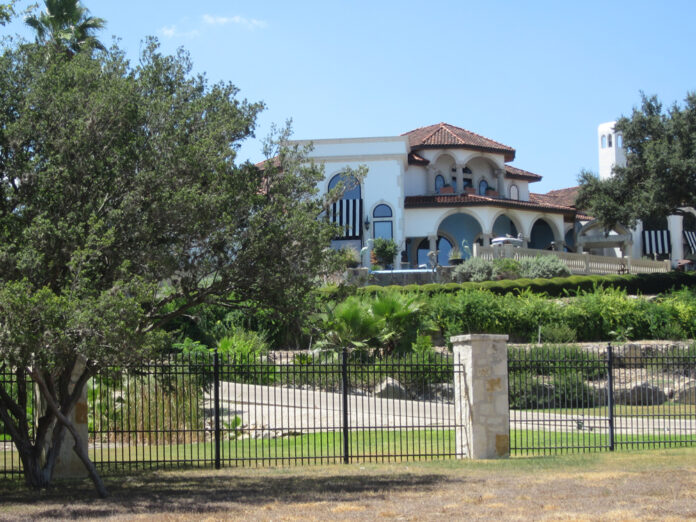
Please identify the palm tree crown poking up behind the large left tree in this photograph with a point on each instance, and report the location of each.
(67, 24)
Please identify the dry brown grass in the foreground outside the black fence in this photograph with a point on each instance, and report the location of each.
(655, 485)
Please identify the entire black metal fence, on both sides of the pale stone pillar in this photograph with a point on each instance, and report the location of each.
(208, 411)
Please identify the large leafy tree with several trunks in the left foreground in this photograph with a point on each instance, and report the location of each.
(122, 207)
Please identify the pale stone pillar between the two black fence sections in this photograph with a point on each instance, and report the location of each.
(482, 409)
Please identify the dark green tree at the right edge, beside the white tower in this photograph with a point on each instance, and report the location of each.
(660, 173)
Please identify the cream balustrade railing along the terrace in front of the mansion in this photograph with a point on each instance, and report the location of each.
(577, 263)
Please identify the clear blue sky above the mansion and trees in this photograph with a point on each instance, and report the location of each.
(538, 76)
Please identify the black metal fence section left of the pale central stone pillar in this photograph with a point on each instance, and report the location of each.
(209, 411)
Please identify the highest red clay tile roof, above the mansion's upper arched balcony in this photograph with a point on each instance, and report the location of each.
(444, 135)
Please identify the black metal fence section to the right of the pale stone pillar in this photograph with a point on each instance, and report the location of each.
(569, 399)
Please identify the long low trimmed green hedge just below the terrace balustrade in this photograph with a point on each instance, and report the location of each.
(558, 286)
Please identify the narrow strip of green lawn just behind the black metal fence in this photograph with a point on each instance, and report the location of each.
(365, 446)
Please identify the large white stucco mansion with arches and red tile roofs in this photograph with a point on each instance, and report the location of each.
(433, 187)
